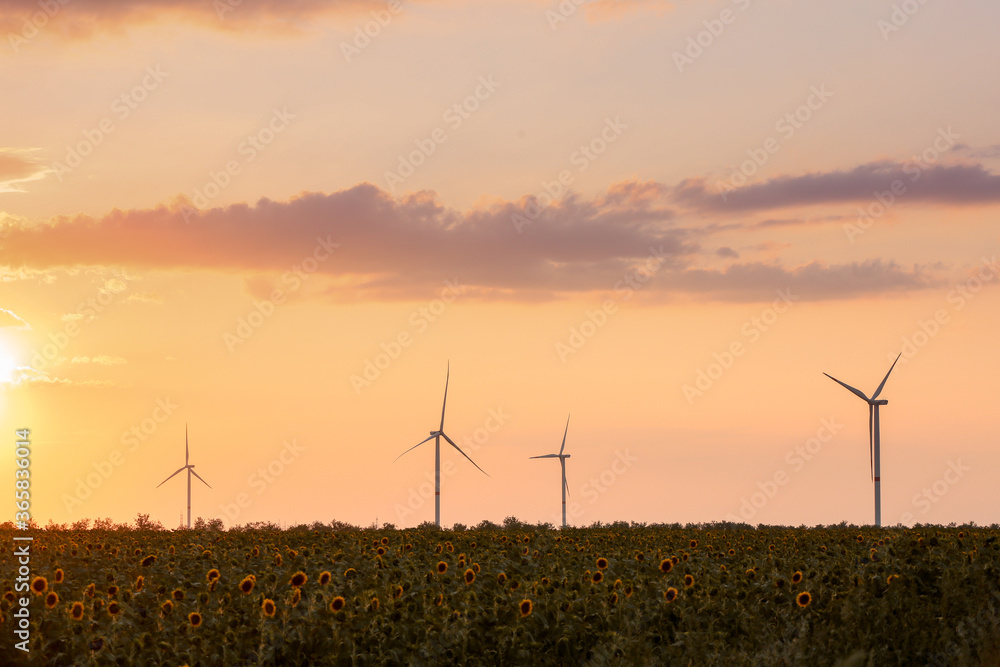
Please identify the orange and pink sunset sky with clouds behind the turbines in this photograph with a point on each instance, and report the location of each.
(280, 226)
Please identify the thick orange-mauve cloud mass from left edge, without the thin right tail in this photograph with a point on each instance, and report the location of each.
(387, 248)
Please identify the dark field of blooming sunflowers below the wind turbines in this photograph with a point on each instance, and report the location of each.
(517, 595)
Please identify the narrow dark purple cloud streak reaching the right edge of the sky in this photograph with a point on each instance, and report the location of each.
(941, 184)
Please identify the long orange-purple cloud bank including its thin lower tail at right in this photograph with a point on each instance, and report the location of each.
(362, 244)
